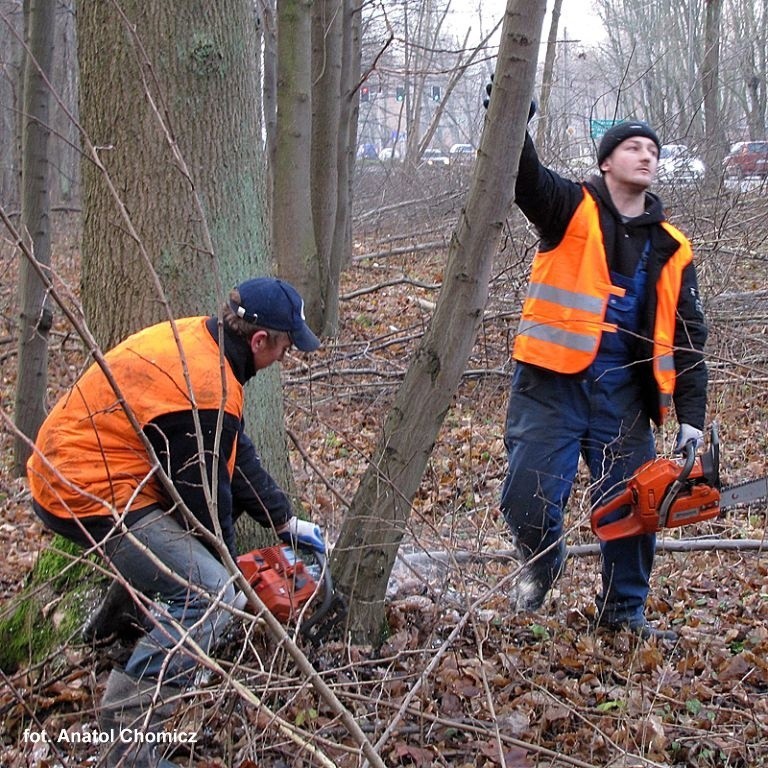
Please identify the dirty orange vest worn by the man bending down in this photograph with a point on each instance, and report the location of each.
(88, 458)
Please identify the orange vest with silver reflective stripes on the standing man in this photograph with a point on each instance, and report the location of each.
(563, 316)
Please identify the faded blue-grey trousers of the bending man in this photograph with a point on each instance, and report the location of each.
(192, 603)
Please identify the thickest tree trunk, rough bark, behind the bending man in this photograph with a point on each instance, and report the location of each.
(159, 79)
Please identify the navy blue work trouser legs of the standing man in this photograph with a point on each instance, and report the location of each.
(552, 420)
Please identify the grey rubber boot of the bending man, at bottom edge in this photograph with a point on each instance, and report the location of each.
(122, 714)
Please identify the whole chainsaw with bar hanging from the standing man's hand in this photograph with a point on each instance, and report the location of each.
(666, 494)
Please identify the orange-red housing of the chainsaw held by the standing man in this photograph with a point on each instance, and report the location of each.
(695, 501)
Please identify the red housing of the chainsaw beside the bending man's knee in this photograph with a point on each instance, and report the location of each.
(279, 578)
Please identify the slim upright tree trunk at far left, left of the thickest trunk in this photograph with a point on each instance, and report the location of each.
(35, 320)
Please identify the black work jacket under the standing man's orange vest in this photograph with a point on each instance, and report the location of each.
(549, 201)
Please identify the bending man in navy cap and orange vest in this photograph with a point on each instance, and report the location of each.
(94, 480)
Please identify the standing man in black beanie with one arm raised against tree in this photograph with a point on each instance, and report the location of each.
(611, 336)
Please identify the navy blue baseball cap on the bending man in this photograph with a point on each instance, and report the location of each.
(275, 304)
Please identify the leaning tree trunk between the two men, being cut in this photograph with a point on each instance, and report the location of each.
(377, 519)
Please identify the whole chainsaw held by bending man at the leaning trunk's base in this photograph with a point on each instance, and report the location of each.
(286, 585)
